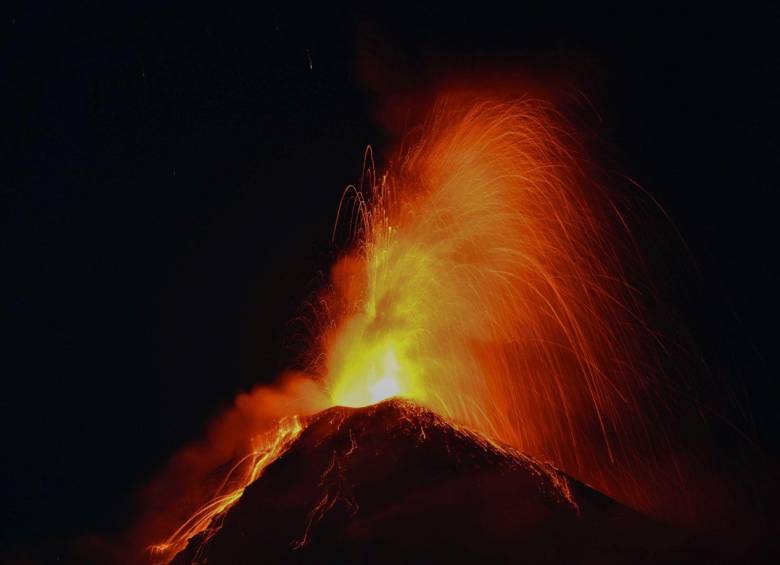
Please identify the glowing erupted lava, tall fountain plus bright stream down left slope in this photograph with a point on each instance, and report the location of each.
(487, 285)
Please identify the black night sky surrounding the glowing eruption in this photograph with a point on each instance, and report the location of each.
(171, 178)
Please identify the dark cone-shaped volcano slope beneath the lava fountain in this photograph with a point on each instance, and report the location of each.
(395, 483)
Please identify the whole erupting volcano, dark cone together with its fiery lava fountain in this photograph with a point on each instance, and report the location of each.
(488, 282)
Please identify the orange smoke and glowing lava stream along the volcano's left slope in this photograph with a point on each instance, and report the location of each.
(207, 477)
